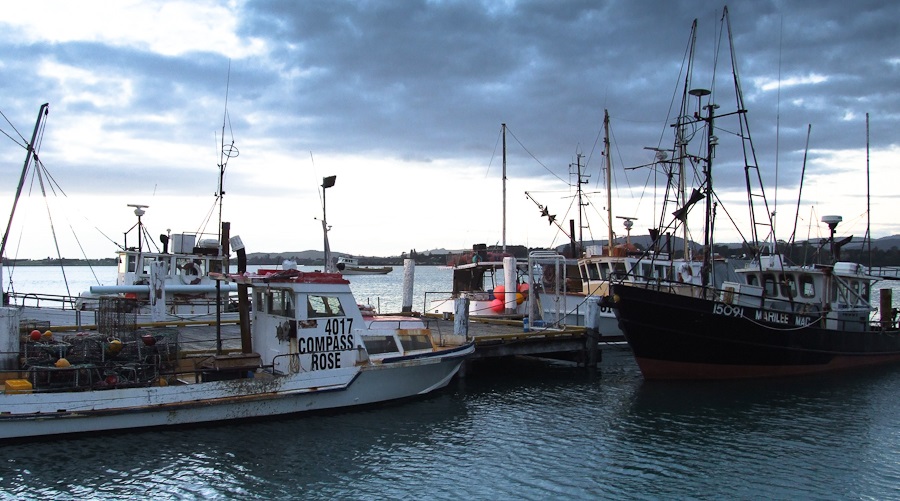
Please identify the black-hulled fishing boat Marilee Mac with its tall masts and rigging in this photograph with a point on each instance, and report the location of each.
(778, 318)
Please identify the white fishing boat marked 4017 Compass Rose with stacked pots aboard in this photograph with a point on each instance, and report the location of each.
(307, 347)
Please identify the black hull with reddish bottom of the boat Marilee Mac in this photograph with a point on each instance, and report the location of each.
(681, 337)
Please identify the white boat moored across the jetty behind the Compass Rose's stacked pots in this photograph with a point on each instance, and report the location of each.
(164, 281)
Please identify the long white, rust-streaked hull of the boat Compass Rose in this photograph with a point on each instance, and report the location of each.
(35, 415)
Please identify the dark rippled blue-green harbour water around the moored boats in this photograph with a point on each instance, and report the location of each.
(520, 430)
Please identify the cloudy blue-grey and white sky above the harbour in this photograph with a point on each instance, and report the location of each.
(403, 101)
